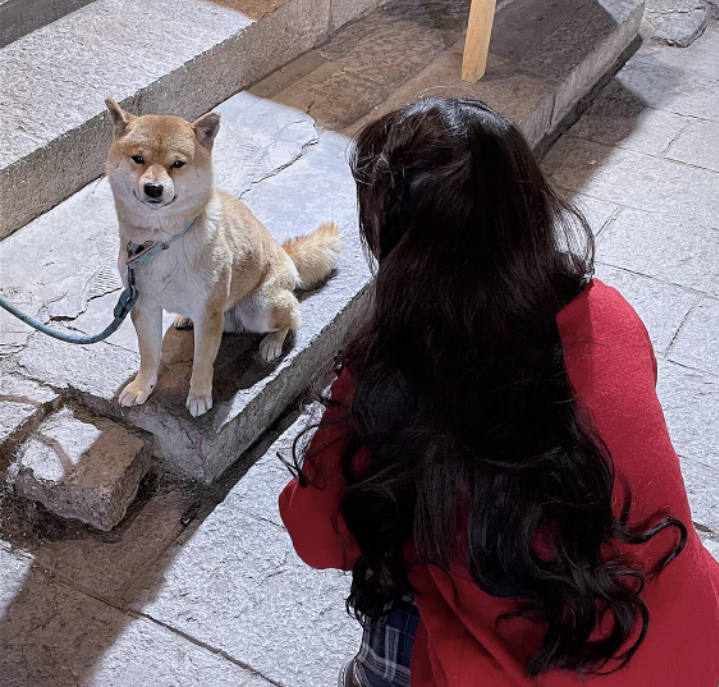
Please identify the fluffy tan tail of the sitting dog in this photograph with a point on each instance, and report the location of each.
(315, 255)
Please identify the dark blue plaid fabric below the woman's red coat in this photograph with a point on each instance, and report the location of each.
(384, 657)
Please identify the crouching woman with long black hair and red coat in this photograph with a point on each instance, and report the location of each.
(493, 465)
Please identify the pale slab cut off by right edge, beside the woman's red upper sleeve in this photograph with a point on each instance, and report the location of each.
(697, 345)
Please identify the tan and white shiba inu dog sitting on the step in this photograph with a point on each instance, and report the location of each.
(224, 273)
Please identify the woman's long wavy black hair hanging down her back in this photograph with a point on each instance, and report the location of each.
(478, 446)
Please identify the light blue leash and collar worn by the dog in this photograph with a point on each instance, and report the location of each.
(137, 255)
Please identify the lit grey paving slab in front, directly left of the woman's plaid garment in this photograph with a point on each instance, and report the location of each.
(218, 585)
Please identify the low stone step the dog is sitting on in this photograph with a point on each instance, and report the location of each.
(282, 147)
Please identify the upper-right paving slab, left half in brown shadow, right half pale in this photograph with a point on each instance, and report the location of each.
(619, 118)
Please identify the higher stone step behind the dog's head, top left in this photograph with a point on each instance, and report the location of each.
(177, 56)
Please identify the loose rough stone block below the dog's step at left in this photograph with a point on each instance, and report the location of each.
(81, 467)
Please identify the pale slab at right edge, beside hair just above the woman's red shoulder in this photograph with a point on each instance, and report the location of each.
(665, 247)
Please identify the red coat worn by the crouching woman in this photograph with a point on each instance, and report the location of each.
(611, 364)
